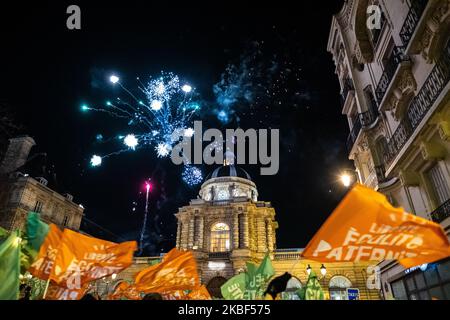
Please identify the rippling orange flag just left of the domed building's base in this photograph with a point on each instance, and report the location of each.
(176, 271)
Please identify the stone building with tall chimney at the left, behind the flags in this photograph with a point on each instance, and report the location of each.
(28, 184)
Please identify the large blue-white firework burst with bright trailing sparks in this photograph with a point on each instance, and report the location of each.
(167, 108)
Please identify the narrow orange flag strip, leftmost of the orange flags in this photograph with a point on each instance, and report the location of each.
(43, 265)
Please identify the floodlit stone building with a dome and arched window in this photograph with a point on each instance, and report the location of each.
(227, 226)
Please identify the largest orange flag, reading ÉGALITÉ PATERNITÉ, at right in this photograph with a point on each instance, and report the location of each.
(366, 227)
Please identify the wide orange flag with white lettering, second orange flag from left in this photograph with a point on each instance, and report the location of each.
(81, 259)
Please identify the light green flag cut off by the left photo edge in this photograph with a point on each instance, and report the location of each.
(10, 266)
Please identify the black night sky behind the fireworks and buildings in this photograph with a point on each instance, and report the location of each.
(276, 59)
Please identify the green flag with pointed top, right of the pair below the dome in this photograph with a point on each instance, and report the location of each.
(256, 280)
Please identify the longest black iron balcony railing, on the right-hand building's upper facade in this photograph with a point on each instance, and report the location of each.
(420, 105)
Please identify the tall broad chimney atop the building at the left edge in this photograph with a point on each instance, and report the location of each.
(17, 154)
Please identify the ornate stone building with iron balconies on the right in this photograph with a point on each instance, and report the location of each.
(394, 78)
